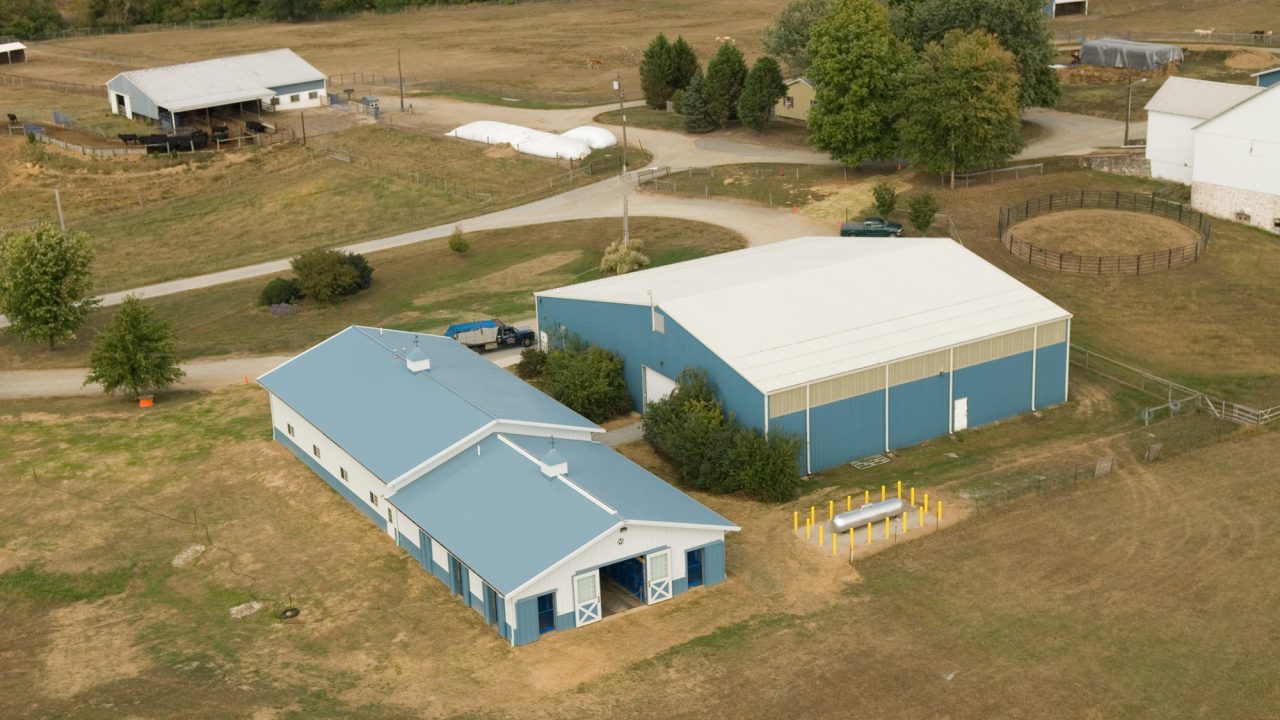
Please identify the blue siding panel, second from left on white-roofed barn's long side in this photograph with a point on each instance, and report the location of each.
(847, 430)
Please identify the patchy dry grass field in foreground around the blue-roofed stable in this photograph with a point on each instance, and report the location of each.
(1105, 599)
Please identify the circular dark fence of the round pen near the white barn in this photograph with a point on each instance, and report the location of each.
(1104, 265)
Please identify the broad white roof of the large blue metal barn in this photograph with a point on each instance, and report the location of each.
(812, 308)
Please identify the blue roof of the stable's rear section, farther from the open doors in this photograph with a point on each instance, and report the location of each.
(356, 390)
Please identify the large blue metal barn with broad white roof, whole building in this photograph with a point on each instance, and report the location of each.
(856, 345)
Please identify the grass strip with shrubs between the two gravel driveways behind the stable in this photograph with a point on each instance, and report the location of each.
(418, 288)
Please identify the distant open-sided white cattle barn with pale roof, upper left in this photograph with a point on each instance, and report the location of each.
(276, 80)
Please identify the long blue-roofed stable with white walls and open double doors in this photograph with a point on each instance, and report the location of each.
(493, 487)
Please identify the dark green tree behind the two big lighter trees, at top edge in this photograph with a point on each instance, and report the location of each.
(1021, 26)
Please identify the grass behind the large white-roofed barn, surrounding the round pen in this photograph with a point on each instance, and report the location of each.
(1197, 325)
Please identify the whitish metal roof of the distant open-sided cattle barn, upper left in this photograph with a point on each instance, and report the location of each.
(222, 80)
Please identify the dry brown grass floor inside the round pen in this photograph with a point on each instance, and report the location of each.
(1104, 233)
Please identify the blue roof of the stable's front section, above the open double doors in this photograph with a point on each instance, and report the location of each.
(509, 522)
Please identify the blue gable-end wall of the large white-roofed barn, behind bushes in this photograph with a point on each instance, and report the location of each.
(628, 330)
